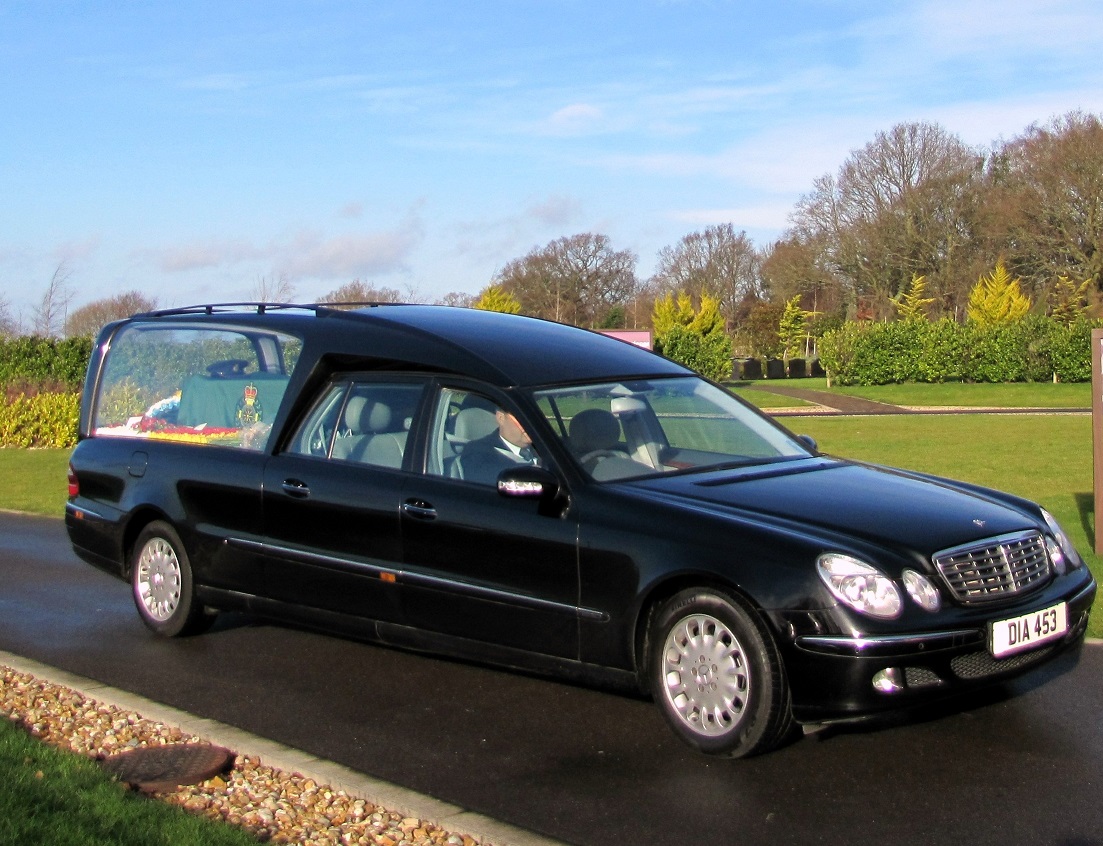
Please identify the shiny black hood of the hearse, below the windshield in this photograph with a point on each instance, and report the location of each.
(875, 505)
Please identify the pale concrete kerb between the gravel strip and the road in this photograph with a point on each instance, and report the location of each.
(392, 797)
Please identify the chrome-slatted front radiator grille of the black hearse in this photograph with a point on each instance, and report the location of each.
(997, 569)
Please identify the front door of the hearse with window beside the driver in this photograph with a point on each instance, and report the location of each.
(479, 565)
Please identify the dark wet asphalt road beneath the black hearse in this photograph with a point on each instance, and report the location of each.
(1023, 765)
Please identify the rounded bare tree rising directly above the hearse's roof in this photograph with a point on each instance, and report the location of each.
(577, 280)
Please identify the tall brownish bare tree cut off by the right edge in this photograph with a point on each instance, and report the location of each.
(1046, 211)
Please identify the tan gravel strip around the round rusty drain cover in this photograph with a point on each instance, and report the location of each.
(274, 806)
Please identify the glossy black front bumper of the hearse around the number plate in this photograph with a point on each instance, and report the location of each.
(838, 677)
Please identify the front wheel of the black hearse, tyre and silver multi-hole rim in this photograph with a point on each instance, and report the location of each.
(718, 677)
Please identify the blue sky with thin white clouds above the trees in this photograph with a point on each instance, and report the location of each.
(189, 149)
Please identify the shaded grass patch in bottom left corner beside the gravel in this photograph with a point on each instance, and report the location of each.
(65, 799)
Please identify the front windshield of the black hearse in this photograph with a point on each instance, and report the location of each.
(634, 429)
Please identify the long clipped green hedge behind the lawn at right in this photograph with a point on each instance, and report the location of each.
(1036, 349)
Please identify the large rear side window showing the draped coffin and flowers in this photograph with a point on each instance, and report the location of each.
(212, 387)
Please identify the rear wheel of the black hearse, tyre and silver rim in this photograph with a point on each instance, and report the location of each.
(162, 584)
